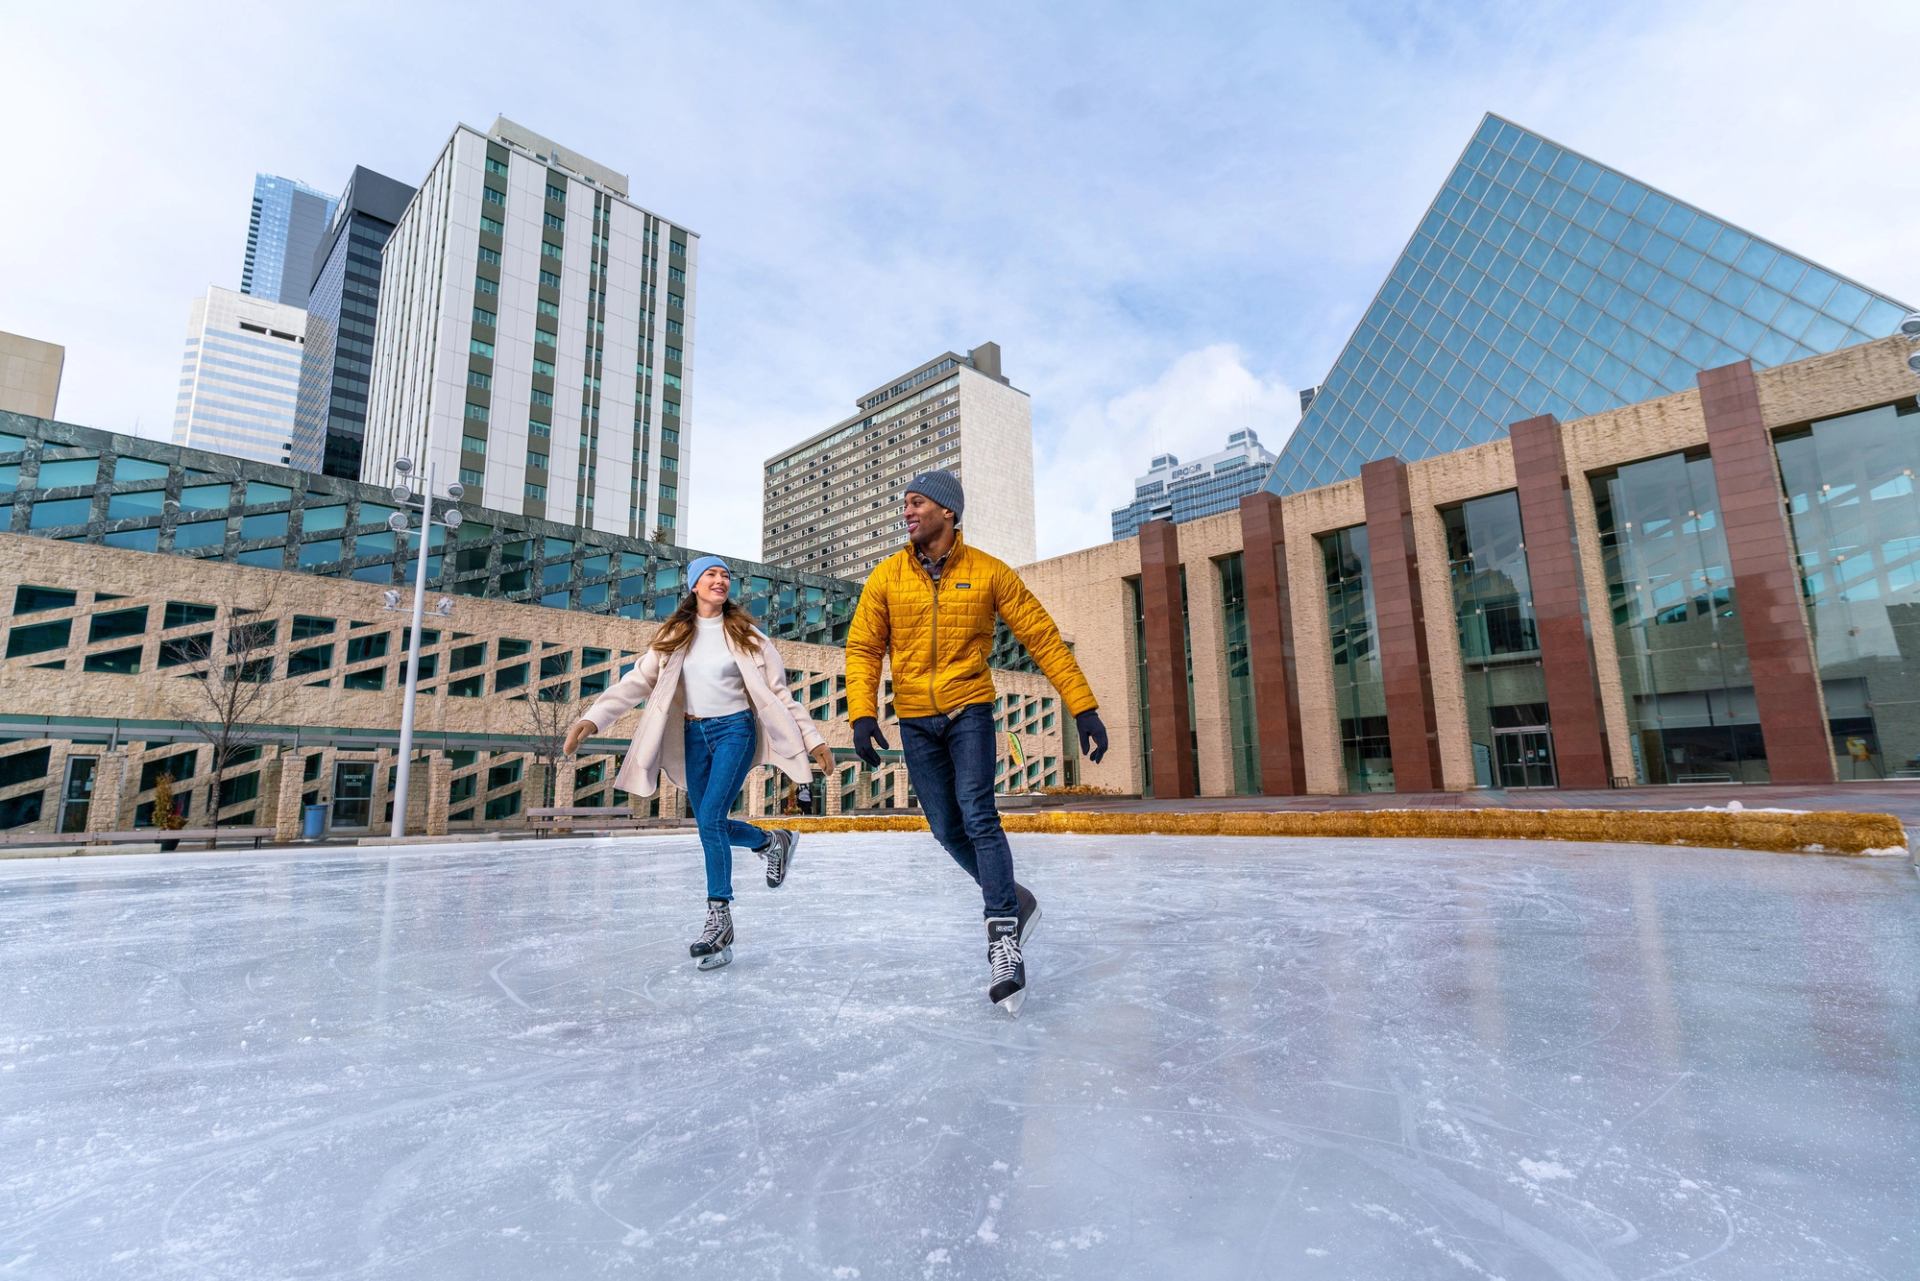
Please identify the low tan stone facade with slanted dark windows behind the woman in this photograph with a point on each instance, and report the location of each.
(101, 650)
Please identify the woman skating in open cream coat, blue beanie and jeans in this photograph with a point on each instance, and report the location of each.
(727, 710)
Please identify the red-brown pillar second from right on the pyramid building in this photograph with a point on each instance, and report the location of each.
(1554, 571)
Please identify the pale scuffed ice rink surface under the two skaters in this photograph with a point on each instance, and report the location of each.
(1241, 1059)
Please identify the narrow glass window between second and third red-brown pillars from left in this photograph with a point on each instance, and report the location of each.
(1358, 692)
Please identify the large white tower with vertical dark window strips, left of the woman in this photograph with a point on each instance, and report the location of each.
(535, 339)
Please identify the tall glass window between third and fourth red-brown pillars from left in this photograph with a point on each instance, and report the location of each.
(1499, 644)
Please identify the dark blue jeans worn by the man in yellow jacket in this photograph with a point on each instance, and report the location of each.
(951, 763)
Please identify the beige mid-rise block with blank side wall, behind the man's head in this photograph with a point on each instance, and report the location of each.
(834, 500)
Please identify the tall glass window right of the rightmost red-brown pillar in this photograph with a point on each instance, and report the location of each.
(1856, 518)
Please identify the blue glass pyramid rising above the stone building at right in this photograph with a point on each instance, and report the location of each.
(1547, 283)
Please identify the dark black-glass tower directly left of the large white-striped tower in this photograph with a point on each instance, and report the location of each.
(343, 306)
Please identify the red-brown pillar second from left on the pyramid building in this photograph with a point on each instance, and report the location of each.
(1270, 646)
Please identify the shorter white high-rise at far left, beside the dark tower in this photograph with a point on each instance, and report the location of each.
(241, 375)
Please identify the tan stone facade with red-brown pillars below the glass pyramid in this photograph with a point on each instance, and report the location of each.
(1092, 598)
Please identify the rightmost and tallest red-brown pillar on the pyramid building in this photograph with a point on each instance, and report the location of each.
(1787, 685)
